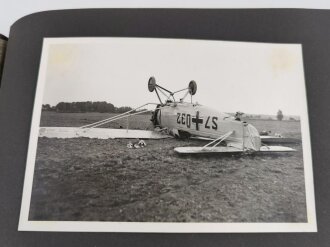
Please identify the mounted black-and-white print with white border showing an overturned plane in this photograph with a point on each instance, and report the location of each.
(169, 135)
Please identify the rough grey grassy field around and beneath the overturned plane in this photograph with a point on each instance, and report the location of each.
(85, 179)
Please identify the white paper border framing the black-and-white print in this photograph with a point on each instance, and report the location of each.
(93, 226)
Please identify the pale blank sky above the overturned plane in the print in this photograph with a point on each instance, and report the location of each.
(258, 78)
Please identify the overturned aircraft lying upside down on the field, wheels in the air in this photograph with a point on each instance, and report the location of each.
(181, 119)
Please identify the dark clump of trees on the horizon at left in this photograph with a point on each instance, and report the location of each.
(86, 106)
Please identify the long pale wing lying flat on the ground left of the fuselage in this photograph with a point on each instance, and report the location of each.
(99, 133)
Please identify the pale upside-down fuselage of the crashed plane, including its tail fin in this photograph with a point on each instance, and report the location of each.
(187, 119)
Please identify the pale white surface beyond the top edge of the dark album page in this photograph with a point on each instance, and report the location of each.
(12, 10)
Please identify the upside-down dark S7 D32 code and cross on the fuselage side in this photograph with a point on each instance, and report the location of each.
(187, 120)
